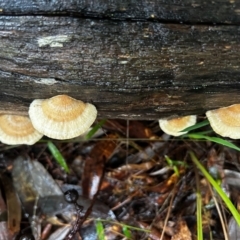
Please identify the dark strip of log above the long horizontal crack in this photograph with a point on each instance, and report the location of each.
(192, 11)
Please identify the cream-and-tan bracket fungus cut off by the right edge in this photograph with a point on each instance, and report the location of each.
(226, 121)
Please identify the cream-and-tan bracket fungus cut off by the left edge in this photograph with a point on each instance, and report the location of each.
(17, 130)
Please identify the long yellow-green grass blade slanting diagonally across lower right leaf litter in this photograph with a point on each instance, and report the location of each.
(218, 189)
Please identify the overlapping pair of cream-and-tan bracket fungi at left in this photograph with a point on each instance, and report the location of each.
(60, 117)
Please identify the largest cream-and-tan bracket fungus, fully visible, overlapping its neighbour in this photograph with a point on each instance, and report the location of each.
(62, 117)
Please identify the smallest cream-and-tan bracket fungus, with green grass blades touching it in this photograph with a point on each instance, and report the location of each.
(175, 126)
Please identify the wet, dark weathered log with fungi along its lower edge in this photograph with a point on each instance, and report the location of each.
(127, 68)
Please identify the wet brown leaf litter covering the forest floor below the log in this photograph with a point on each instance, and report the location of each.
(134, 182)
